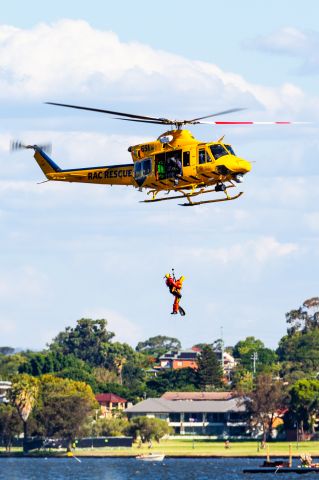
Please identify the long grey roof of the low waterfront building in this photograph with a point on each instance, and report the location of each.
(161, 405)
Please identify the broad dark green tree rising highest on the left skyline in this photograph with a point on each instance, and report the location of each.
(89, 341)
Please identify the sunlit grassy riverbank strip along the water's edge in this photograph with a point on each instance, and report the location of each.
(189, 448)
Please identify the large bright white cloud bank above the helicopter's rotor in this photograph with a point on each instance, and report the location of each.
(96, 65)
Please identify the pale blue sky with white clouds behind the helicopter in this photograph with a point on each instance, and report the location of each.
(70, 251)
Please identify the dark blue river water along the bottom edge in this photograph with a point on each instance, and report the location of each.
(130, 468)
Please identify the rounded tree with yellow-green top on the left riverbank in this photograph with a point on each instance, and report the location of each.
(65, 407)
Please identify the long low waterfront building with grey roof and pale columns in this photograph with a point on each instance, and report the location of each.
(216, 418)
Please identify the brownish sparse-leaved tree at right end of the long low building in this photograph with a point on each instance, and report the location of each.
(267, 397)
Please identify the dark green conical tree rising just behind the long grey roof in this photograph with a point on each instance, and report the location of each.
(209, 370)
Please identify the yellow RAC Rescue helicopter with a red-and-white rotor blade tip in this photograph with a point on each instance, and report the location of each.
(176, 163)
